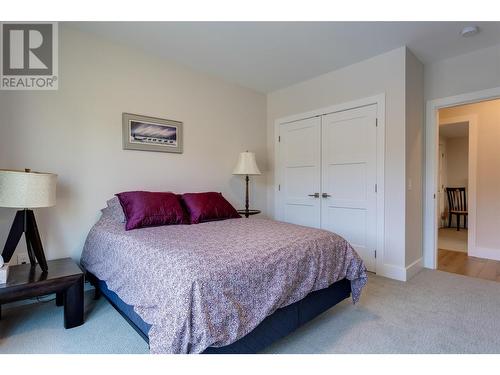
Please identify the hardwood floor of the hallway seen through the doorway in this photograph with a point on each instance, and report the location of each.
(459, 262)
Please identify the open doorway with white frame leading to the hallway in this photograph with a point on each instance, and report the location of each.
(461, 179)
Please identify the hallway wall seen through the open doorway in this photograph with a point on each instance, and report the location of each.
(488, 170)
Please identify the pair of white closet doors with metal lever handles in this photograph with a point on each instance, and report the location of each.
(328, 175)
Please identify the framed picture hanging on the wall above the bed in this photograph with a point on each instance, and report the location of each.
(151, 134)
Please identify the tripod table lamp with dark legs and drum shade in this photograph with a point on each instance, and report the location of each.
(26, 190)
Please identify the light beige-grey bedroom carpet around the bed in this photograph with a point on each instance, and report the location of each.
(435, 312)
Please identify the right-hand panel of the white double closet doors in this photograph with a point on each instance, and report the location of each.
(348, 178)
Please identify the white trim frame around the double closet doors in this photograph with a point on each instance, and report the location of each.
(378, 100)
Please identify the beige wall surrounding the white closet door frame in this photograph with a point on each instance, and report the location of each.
(380, 74)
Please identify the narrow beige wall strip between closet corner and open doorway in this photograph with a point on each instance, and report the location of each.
(414, 115)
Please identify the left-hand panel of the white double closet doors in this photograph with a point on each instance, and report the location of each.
(300, 154)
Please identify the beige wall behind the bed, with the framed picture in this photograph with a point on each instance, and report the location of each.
(76, 133)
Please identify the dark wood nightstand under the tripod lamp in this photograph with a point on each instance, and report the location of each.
(64, 278)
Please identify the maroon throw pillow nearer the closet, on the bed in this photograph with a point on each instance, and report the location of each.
(208, 206)
